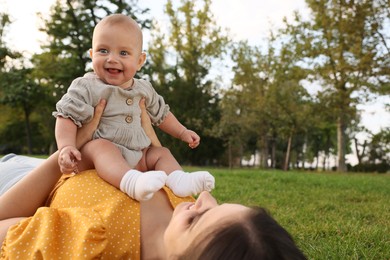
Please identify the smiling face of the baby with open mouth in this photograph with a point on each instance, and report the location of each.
(117, 53)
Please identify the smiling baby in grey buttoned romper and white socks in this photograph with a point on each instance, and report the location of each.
(116, 57)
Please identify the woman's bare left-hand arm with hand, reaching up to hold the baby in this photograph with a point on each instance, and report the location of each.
(31, 192)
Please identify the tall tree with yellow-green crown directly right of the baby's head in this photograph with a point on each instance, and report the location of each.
(181, 73)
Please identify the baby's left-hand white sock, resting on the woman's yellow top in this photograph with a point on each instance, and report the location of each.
(142, 185)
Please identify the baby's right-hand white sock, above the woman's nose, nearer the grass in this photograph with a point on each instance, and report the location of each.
(185, 184)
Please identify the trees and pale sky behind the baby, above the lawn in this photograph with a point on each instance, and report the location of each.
(292, 89)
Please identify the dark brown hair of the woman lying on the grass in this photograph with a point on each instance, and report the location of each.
(258, 236)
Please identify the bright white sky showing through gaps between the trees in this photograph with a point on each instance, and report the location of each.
(245, 19)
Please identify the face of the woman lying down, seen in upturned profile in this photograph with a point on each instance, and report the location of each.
(192, 219)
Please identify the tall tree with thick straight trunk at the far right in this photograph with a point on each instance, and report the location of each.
(346, 44)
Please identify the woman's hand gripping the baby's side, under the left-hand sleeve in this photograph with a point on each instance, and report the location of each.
(84, 134)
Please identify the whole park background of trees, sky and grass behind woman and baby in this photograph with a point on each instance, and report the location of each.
(311, 91)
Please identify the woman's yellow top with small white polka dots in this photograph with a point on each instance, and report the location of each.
(87, 219)
